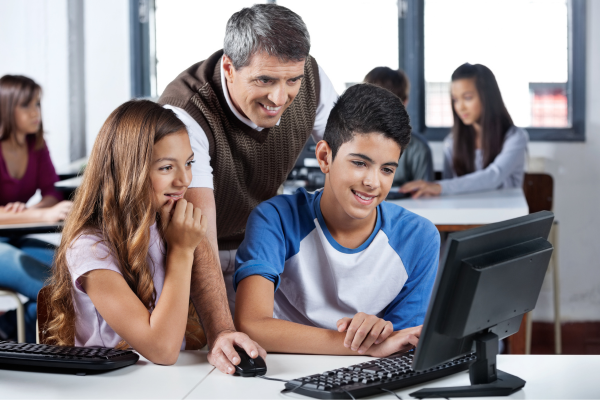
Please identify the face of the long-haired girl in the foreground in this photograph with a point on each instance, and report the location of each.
(171, 168)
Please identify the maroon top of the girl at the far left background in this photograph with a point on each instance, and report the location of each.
(40, 174)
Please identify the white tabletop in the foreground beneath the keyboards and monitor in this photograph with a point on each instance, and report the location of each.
(547, 377)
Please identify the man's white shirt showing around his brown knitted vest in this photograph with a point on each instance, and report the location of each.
(202, 175)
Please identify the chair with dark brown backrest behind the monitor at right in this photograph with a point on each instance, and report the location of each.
(538, 190)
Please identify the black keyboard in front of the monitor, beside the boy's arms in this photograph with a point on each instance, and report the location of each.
(368, 378)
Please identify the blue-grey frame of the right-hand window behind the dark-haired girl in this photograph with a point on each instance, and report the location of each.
(412, 59)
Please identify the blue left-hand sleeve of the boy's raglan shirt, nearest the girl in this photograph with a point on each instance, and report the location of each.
(264, 247)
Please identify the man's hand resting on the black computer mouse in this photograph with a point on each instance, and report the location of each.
(223, 355)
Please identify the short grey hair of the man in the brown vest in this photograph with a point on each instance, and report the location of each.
(273, 29)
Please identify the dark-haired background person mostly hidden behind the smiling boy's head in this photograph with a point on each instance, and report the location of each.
(416, 162)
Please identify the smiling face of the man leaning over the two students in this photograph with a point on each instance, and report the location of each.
(264, 89)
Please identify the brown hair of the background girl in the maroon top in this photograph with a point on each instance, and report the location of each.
(17, 91)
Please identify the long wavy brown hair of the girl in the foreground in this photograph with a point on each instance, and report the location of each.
(114, 202)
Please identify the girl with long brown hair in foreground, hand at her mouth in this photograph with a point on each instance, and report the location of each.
(123, 268)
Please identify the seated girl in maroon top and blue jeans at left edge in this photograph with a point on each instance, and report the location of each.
(25, 167)
